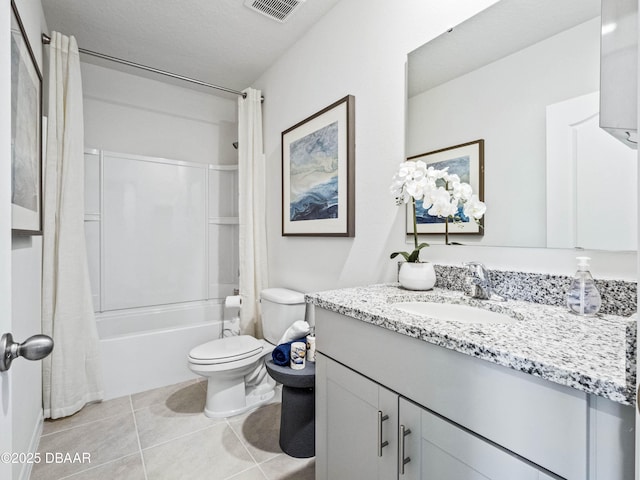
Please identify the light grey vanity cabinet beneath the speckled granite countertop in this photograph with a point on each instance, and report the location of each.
(468, 418)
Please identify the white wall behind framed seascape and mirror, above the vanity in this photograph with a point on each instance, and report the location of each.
(360, 48)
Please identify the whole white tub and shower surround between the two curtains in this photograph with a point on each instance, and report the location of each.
(162, 242)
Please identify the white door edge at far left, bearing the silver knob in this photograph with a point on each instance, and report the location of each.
(6, 436)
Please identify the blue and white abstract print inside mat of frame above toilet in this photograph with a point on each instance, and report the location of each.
(313, 175)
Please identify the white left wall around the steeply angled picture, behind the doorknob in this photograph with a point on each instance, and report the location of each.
(26, 265)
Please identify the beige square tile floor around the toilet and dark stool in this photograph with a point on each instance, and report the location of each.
(162, 434)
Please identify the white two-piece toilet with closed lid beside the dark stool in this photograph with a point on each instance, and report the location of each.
(227, 361)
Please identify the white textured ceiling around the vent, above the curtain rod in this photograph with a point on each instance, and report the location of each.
(217, 41)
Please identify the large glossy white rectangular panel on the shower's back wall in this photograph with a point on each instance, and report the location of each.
(153, 218)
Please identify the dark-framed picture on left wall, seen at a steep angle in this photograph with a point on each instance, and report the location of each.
(26, 132)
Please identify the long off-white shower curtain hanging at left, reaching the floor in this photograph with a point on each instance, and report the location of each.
(71, 374)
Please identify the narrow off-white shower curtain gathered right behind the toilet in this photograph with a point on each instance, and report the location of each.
(252, 211)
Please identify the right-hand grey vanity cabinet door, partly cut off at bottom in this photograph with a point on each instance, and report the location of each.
(436, 449)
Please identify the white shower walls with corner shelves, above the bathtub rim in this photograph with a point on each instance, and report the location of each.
(159, 231)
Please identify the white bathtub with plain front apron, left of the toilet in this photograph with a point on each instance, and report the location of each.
(146, 348)
